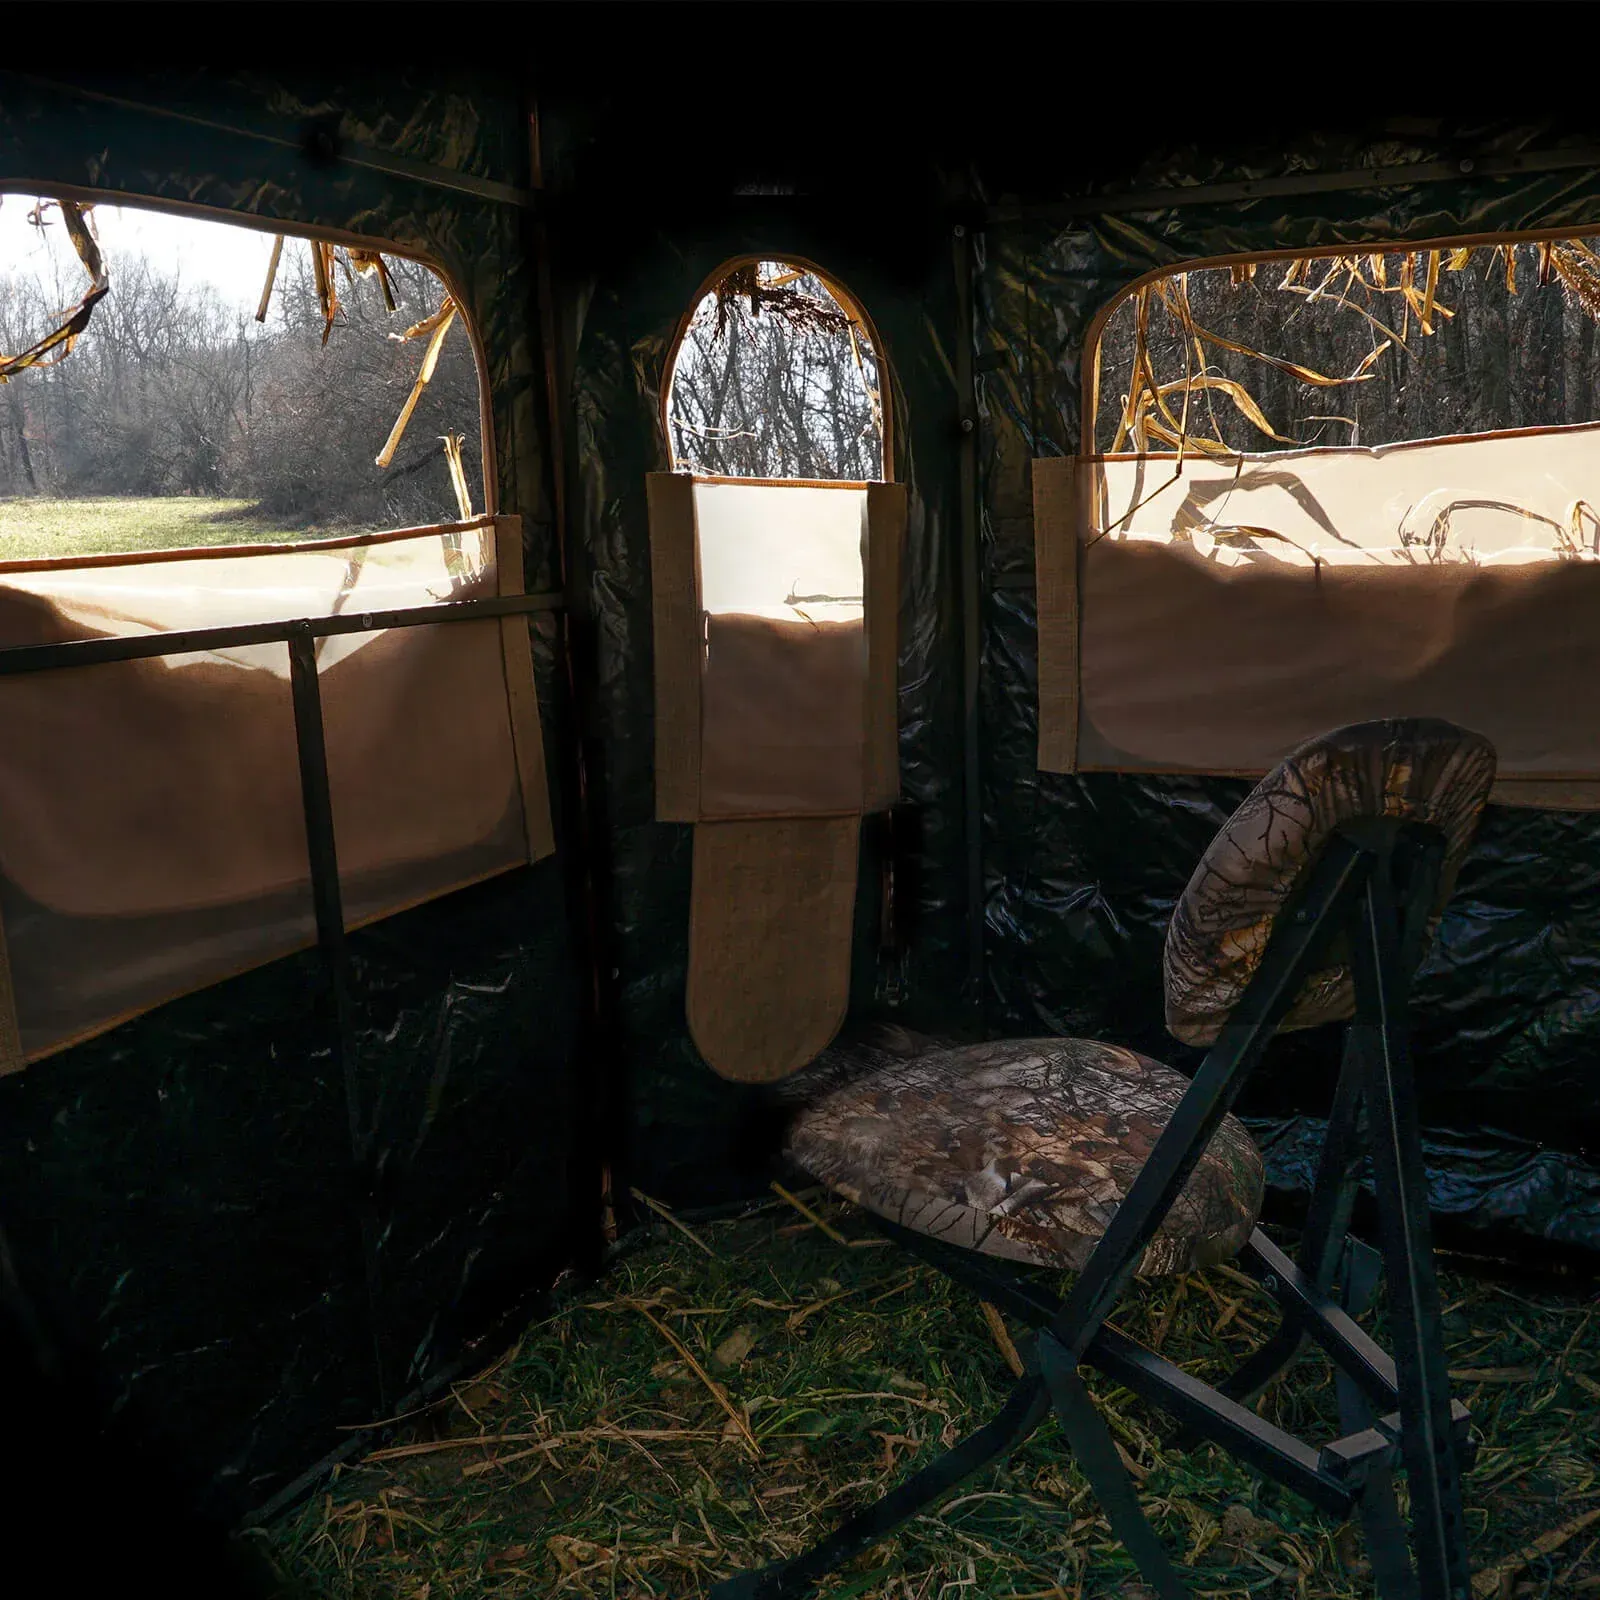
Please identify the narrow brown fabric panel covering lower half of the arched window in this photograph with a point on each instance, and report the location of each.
(775, 609)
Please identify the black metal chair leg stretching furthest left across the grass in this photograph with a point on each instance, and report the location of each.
(796, 1578)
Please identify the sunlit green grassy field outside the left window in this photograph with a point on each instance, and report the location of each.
(33, 527)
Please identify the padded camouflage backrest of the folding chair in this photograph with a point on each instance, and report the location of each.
(1417, 770)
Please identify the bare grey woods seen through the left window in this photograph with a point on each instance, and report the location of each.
(172, 391)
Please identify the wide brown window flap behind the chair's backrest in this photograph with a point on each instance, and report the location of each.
(1209, 617)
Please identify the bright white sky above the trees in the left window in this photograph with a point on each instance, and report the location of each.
(233, 260)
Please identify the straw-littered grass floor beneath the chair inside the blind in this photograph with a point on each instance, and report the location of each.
(730, 1391)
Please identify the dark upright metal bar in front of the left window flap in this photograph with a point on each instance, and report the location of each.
(329, 906)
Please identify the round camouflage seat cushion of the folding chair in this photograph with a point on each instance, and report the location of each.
(1017, 1148)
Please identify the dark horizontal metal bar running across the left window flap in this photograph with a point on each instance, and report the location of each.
(140, 647)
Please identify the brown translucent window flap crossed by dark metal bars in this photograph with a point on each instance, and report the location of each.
(151, 817)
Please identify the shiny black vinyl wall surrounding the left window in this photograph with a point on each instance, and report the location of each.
(180, 1194)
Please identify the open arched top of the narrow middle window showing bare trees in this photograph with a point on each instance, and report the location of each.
(777, 377)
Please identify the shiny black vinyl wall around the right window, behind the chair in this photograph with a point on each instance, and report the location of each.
(1082, 871)
